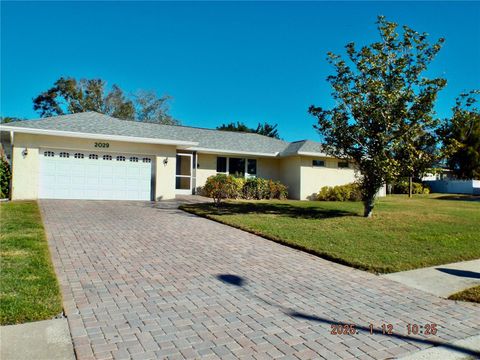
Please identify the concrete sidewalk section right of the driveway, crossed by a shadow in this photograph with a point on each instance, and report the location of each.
(441, 280)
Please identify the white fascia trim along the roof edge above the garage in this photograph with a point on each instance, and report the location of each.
(96, 136)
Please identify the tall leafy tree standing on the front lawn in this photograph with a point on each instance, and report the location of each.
(383, 104)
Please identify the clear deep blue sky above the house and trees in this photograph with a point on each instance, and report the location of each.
(221, 61)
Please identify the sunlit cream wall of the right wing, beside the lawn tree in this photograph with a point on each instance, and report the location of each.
(314, 178)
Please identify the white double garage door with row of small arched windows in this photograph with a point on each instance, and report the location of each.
(67, 174)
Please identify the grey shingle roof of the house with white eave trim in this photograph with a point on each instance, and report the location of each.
(96, 125)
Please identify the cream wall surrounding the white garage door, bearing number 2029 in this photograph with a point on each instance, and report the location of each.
(26, 168)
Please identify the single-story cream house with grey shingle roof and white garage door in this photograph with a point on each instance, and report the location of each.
(95, 156)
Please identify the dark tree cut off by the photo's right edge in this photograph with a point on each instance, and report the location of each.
(460, 137)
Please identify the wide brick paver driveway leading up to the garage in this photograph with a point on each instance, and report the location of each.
(145, 282)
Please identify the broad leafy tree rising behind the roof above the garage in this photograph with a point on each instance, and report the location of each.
(68, 95)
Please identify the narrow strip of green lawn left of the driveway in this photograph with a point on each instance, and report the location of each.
(28, 286)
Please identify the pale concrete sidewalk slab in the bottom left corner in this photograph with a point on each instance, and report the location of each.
(41, 340)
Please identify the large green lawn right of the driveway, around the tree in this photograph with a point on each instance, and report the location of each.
(404, 233)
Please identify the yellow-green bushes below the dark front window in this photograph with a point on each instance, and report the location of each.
(221, 186)
